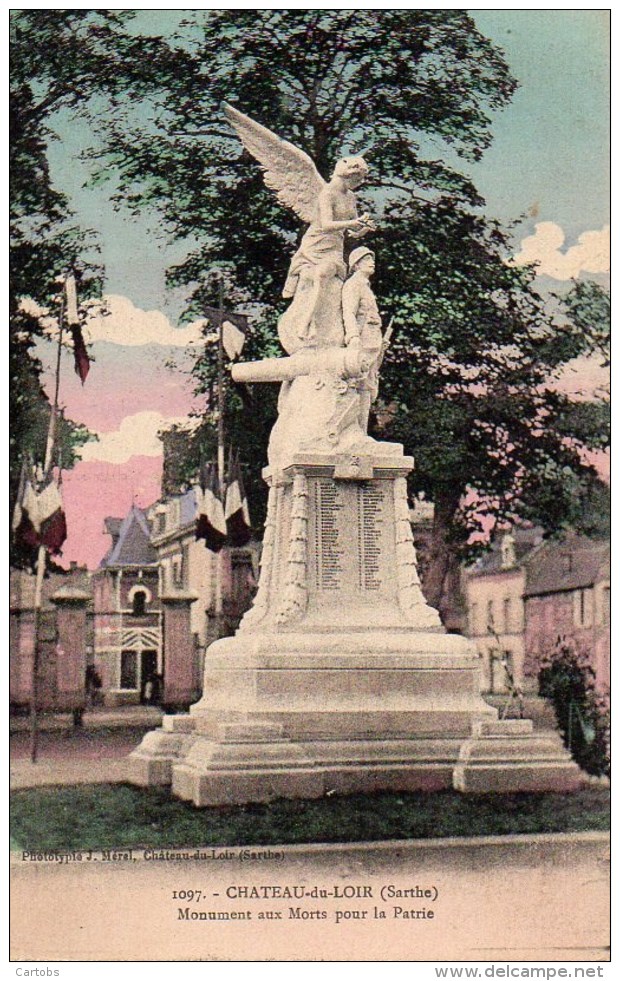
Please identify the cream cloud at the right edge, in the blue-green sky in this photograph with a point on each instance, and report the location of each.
(589, 255)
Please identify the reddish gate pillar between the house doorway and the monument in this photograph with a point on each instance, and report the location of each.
(178, 646)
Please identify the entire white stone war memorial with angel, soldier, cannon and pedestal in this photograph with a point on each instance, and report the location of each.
(340, 678)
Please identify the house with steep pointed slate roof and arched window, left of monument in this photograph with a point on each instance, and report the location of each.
(155, 599)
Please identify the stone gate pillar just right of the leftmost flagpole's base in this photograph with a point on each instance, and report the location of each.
(71, 604)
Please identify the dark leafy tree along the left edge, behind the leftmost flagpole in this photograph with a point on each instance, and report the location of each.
(59, 59)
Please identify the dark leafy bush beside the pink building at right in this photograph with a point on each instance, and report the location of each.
(567, 679)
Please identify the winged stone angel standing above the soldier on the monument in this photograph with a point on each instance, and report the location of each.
(317, 271)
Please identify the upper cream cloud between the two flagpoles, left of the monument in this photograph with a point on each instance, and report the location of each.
(121, 322)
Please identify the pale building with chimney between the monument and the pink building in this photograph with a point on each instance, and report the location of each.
(494, 589)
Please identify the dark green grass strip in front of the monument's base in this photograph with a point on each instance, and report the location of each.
(117, 815)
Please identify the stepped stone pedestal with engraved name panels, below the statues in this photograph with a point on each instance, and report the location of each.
(341, 678)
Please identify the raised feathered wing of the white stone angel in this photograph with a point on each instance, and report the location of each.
(287, 170)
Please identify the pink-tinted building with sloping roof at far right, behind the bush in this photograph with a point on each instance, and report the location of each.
(567, 595)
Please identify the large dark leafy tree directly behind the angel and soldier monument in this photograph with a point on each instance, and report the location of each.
(465, 384)
